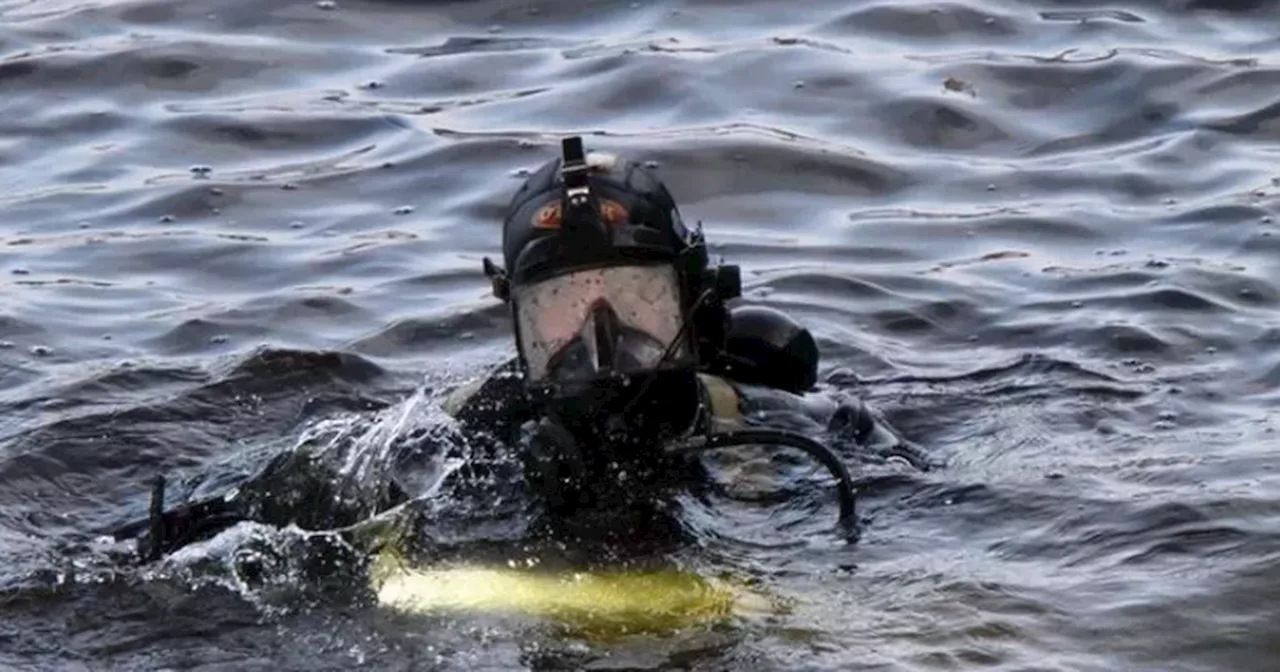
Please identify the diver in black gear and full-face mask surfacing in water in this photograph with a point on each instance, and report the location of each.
(630, 362)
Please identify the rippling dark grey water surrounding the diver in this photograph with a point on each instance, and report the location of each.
(1043, 235)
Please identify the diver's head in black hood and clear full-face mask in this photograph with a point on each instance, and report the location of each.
(611, 294)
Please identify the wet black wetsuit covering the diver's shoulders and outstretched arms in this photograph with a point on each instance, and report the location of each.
(492, 417)
